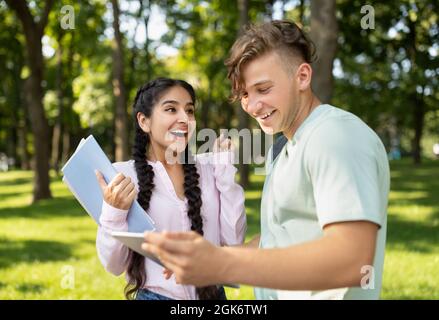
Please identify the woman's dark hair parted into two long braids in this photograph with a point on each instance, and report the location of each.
(147, 96)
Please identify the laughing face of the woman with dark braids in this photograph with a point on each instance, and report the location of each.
(172, 121)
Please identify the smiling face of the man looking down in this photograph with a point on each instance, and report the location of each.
(271, 94)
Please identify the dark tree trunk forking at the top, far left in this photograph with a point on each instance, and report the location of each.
(33, 33)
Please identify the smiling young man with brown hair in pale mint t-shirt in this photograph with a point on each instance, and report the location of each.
(323, 208)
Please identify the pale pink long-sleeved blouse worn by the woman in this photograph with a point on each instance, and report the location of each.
(223, 213)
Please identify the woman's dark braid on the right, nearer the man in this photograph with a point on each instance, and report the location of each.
(192, 192)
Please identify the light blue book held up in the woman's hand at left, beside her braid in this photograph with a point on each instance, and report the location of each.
(79, 175)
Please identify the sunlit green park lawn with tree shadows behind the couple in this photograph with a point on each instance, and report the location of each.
(47, 250)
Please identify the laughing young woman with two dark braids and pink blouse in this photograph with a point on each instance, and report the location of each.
(198, 195)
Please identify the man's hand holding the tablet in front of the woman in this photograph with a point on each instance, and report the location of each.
(191, 258)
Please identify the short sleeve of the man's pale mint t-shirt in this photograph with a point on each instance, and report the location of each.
(343, 165)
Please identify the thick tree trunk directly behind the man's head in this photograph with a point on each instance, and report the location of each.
(324, 32)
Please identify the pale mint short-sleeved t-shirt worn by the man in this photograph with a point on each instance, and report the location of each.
(334, 169)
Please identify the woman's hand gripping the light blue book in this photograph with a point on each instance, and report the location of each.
(119, 193)
